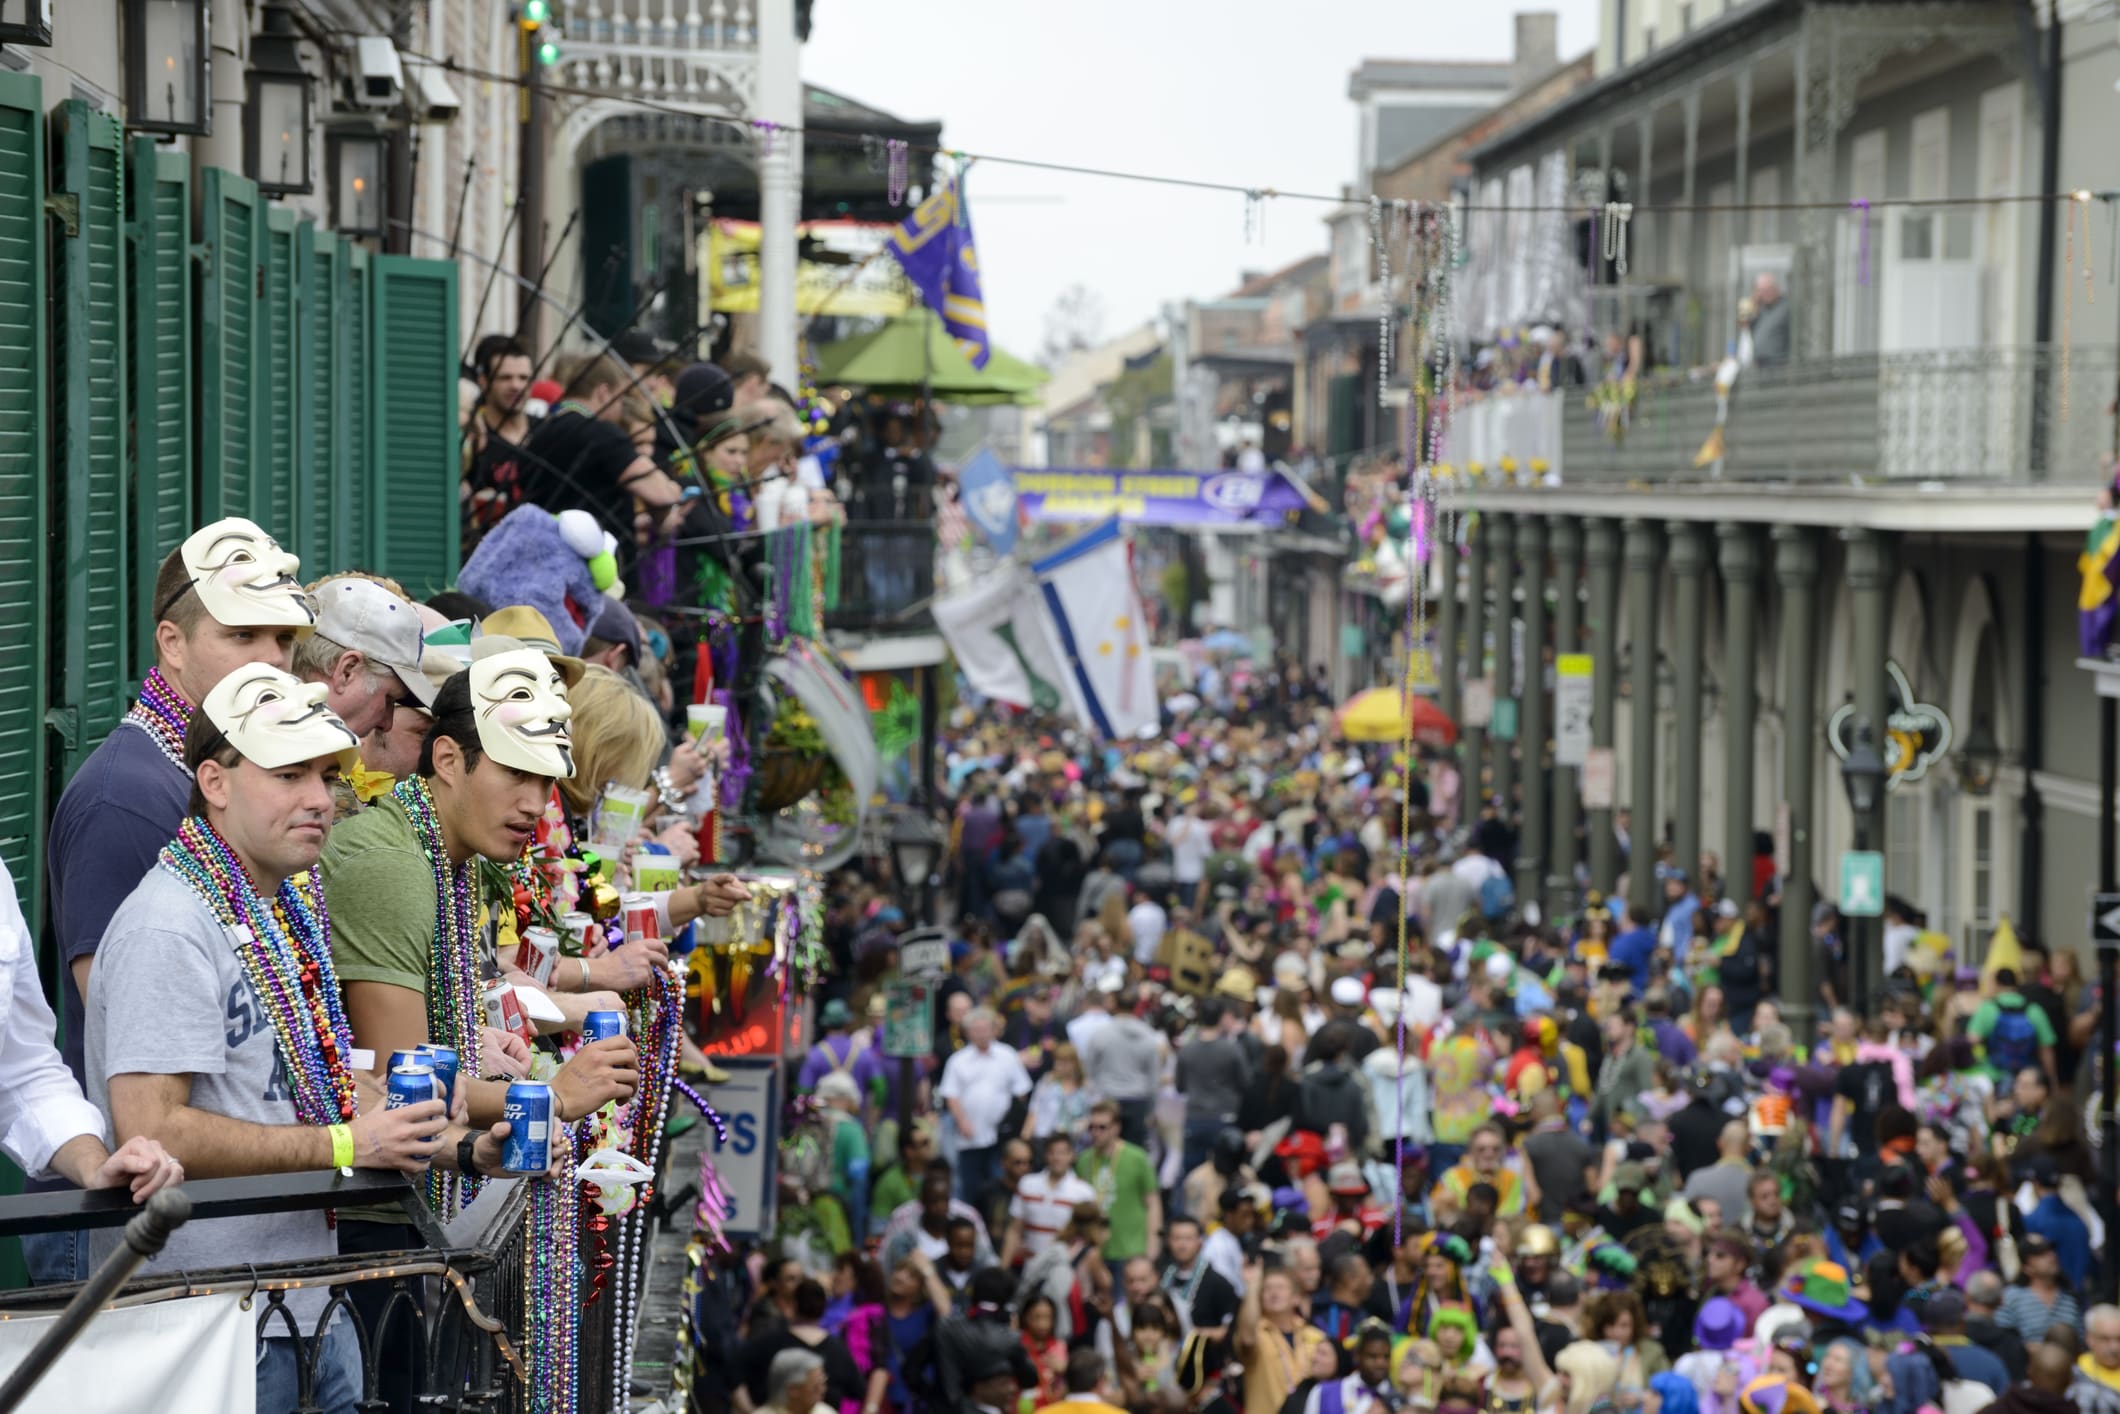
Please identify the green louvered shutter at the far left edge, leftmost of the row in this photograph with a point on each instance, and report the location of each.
(22, 487)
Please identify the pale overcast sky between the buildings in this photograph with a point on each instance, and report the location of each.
(1250, 92)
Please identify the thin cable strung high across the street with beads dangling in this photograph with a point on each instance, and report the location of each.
(1190, 183)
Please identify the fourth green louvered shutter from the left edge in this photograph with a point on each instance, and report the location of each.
(228, 342)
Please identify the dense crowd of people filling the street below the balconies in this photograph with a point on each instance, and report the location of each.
(1258, 1089)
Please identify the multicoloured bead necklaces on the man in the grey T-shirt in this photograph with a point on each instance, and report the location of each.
(285, 953)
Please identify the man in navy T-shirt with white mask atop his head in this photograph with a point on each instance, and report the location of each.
(224, 599)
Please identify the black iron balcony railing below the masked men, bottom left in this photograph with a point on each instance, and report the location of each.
(455, 1309)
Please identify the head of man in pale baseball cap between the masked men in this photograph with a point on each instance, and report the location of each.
(366, 652)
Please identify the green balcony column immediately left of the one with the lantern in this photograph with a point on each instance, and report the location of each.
(1797, 571)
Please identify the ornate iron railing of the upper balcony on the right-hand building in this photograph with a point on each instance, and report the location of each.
(1998, 417)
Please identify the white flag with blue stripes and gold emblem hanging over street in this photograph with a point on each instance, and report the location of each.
(1097, 633)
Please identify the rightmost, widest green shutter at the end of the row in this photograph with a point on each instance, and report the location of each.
(417, 436)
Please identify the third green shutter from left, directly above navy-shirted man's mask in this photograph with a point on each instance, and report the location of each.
(158, 192)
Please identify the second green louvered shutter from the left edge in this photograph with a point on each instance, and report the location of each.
(92, 467)
